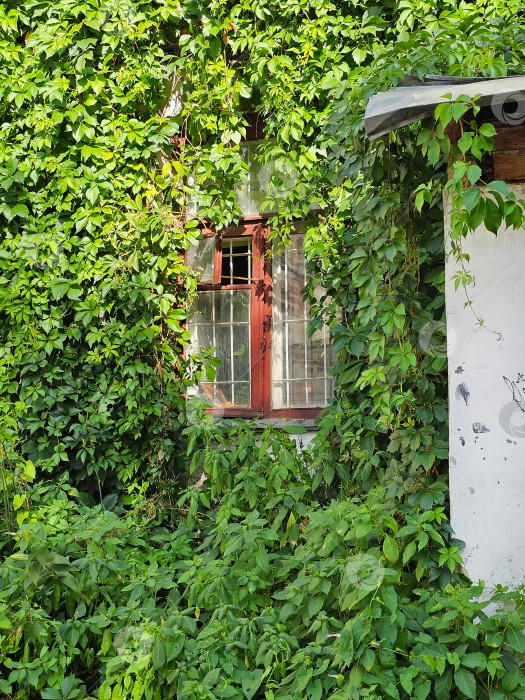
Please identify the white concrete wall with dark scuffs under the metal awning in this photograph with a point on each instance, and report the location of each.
(487, 405)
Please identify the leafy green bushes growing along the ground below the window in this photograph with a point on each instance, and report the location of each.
(267, 593)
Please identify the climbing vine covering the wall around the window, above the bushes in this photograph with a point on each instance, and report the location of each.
(93, 278)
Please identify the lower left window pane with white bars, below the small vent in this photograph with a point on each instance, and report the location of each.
(221, 319)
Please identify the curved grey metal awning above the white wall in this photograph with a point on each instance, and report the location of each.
(387, 111)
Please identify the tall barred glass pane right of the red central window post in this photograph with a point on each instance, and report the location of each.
(300, 365)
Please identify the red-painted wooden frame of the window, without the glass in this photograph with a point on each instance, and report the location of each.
(258, 230)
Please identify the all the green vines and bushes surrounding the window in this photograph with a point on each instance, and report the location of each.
(333, 576)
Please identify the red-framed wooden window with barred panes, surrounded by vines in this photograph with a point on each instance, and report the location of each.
(270, 367)
